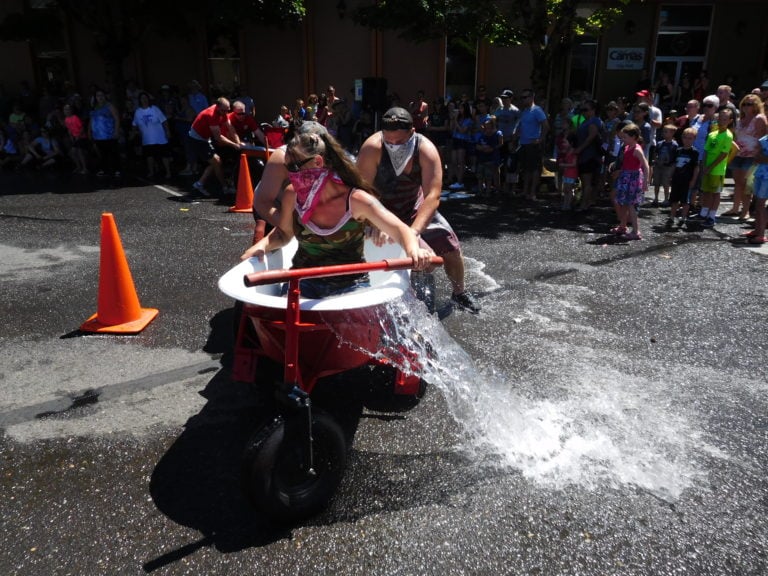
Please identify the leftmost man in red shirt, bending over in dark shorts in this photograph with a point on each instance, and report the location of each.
(212, 133)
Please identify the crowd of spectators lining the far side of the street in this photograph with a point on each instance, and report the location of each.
(490, 144)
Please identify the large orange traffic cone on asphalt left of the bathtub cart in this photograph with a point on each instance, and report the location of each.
(118, 308)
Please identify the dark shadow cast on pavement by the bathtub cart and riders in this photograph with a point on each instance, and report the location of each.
(197, 482)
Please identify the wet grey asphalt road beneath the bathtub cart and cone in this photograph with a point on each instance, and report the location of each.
(606, 412)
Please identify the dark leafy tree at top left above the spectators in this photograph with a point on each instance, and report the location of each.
(119, 27)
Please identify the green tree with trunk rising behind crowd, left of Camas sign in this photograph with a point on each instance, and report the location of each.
(546, 27)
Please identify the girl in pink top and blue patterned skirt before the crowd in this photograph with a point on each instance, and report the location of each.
(632, 183)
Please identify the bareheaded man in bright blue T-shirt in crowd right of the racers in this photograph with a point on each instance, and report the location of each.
(531, 133)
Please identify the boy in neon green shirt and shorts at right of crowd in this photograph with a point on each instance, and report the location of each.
(716, 151)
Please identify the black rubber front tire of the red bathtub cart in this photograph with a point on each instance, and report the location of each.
(273, 474)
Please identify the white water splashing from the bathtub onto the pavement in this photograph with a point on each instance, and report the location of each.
(595, 426)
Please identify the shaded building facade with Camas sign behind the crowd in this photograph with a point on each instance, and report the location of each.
(726, 38)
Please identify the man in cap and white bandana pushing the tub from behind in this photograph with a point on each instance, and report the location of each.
(407, 171)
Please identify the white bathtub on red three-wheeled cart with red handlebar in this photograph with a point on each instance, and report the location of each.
(285, 345)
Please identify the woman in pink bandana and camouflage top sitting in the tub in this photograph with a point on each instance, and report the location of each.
(332, 206)
